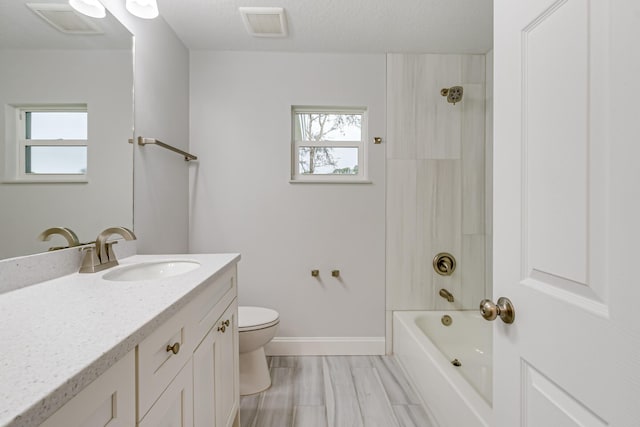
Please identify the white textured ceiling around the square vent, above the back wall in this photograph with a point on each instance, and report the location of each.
(352, 26)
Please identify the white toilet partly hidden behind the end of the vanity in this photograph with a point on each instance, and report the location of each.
(256, 327)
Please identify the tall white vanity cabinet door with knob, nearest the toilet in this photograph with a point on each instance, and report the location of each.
(215, 382)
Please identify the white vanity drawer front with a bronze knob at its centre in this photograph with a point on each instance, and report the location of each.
(161, 356)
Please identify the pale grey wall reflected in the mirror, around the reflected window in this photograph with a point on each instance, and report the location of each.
(70, 77)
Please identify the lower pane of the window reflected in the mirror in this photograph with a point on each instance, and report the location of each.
(56, 159)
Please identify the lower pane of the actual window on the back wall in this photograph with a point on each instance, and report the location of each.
(328, 160)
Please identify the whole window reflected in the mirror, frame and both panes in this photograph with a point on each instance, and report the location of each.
(51, 143)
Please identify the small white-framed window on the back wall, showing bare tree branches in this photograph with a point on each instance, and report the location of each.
(328, 144)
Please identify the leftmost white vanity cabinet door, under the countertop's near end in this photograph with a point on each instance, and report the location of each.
(108, 401)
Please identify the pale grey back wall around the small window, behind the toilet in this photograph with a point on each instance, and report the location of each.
(242, 201)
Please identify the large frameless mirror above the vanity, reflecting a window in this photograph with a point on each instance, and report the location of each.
(66, 94)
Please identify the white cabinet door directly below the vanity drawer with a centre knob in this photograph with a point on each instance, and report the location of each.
(174, 407)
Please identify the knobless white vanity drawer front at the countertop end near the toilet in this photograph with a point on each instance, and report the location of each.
(207, 307)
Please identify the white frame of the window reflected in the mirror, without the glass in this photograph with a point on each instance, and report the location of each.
(17, 172)
